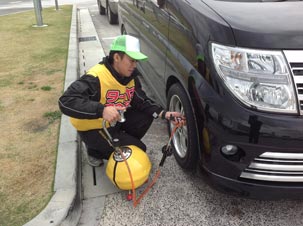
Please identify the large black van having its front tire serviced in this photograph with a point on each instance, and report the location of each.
(235, 69)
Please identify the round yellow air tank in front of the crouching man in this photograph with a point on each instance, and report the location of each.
(139, 165)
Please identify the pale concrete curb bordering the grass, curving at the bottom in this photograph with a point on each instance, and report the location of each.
(66, 198)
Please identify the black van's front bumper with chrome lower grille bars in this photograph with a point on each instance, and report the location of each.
(268, 163)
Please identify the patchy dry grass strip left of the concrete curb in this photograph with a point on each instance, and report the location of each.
(32, 62)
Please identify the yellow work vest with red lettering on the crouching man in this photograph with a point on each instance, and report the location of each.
(112, 94)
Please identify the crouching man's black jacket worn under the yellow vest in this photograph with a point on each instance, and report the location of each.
(82, 98)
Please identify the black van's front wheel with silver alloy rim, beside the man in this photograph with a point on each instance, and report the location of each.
(185, 141)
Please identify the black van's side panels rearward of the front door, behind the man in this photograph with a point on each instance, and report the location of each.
(147, 21)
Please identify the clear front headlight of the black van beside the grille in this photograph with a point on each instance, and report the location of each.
(258, 78)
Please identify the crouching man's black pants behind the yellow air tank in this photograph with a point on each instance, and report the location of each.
(129, 132)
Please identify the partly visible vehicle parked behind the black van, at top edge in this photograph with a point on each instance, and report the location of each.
(110, 8)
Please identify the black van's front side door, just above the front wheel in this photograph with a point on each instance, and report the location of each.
(182, 48)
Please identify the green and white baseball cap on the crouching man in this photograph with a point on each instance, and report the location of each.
(129, 45)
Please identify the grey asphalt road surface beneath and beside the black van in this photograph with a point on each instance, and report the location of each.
(181, 198)
